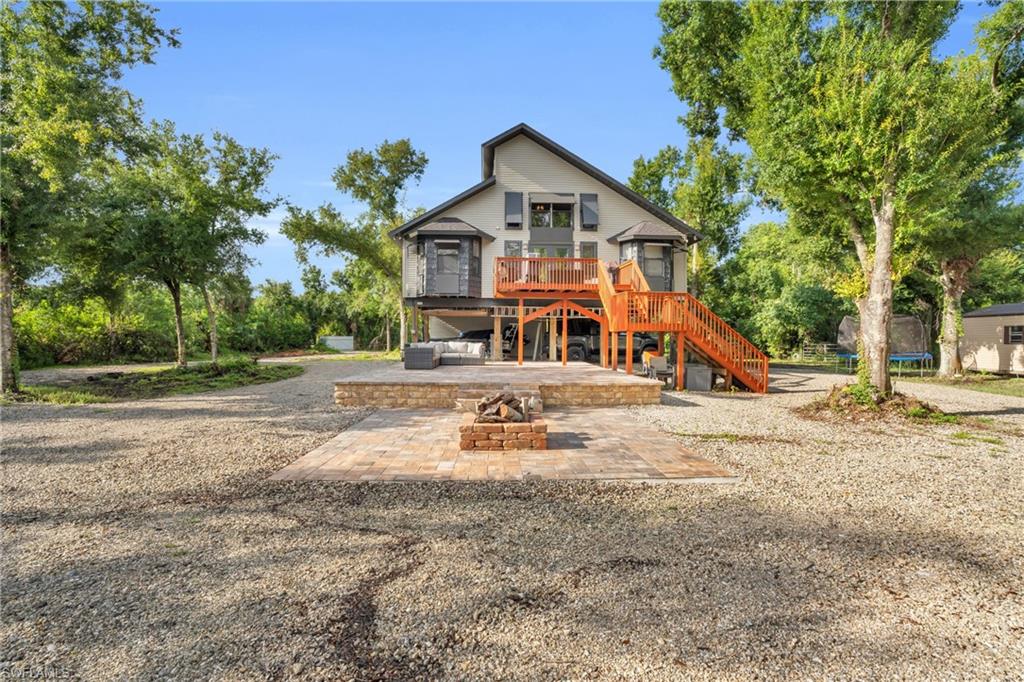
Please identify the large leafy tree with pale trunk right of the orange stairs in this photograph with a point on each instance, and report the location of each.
(850, 118)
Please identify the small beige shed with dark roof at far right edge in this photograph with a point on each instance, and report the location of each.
(994, 339)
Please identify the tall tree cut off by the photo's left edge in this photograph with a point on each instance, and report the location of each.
(61, 110)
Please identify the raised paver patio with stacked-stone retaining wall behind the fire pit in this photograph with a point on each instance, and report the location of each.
(578, 385)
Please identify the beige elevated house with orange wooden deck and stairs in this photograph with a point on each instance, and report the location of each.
(547, 236)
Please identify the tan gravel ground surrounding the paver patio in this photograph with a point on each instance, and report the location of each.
(142, 540)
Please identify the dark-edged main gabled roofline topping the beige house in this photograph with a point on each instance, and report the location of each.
(488, 173)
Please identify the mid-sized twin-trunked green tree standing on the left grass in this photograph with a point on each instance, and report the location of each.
(180, 215)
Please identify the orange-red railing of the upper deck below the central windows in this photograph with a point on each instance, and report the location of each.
(545, 275)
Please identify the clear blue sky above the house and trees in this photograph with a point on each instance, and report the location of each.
(312, 81)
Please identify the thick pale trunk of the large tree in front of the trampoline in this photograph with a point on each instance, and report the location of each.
(877, 310)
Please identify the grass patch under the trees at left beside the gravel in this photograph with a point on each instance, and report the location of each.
(157, 382)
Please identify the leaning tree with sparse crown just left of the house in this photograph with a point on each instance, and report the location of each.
(376, 178)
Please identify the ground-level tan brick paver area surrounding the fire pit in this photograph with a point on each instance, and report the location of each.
(423, 445)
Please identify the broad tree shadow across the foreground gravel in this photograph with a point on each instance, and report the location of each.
(268, 575)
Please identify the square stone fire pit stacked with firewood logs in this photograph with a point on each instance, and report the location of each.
(504, 421)
